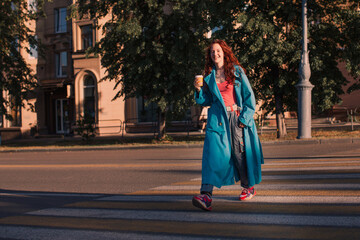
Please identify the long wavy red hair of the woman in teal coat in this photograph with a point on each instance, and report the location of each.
(230, 61)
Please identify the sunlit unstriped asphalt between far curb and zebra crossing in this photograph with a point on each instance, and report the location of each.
(125, 171)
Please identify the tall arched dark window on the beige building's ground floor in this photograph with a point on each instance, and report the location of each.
(89, 97)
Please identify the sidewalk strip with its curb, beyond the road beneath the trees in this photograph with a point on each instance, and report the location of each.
(115, 142)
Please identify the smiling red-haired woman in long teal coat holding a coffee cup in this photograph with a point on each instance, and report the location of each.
(232, 150)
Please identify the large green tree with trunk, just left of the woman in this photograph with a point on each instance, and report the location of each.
(151, 49)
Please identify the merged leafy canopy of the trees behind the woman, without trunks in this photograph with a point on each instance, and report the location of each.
(156, 55)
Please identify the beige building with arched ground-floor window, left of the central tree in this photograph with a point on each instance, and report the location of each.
(69, 81)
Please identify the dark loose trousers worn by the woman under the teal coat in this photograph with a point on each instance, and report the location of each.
(237, 152)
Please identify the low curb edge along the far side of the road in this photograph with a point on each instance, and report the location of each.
(173, 146)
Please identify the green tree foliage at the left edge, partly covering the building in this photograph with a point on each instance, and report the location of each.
(16, 76)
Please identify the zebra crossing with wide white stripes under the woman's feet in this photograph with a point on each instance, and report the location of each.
(299, 198)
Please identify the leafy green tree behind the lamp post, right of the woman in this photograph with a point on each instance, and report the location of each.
(267, 42)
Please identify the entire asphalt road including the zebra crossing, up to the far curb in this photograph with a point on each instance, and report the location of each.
(108, 194)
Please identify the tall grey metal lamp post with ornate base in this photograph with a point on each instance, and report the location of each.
(304, 86)
